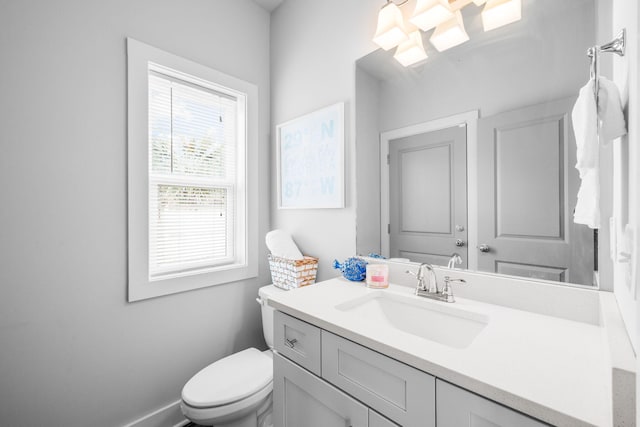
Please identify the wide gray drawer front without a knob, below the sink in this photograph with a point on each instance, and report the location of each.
(402, 393)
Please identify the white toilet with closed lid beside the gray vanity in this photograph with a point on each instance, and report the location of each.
(235, 391)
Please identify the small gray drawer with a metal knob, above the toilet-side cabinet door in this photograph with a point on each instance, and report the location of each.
(298, 341)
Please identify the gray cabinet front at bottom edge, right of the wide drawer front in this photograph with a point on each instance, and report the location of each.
(459, 408)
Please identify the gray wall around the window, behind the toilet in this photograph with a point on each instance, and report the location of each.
(73, 352)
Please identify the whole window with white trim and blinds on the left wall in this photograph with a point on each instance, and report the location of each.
(190, 137)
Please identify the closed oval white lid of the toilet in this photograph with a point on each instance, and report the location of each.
(230, 379)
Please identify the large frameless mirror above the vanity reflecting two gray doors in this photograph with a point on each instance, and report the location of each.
(472, 152)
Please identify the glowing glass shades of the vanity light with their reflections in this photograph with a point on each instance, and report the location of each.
(445, 17)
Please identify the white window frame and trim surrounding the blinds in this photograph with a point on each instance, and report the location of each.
(140, 59)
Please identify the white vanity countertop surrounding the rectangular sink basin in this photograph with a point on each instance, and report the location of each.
(553, 369)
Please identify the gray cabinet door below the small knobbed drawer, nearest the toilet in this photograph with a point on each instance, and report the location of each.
(302, 399)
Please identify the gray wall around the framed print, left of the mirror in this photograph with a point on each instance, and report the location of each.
(314, 45)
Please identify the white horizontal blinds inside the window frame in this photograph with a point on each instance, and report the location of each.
(193, 133)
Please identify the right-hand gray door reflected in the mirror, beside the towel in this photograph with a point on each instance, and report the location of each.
(527, 189)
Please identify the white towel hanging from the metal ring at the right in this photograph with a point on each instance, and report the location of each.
(587, 118)
